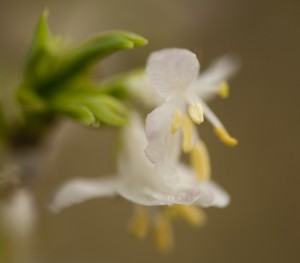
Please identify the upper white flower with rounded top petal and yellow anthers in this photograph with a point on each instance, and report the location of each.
(174, 75)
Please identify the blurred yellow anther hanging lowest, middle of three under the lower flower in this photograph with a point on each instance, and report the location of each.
(163, 234)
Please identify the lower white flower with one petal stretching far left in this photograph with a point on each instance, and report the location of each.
(136, 180)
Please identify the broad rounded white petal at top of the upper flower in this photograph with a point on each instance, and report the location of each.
(170, 70)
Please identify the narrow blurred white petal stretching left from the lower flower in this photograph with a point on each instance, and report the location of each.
(80, 190)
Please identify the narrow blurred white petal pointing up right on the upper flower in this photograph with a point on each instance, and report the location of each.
(208, 84)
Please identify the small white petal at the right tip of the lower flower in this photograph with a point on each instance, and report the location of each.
(212, 195)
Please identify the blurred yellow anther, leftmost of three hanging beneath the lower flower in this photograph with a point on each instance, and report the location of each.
(140, 223)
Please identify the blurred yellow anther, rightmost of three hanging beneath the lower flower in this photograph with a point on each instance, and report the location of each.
(193, 215)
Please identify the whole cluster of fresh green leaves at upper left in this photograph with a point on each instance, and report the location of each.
(56, 78)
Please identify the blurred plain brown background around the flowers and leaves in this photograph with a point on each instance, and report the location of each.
(261, 174)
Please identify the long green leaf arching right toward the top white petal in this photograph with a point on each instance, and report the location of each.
(82, 57)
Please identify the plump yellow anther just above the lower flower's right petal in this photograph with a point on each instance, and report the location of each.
(199, 158)
